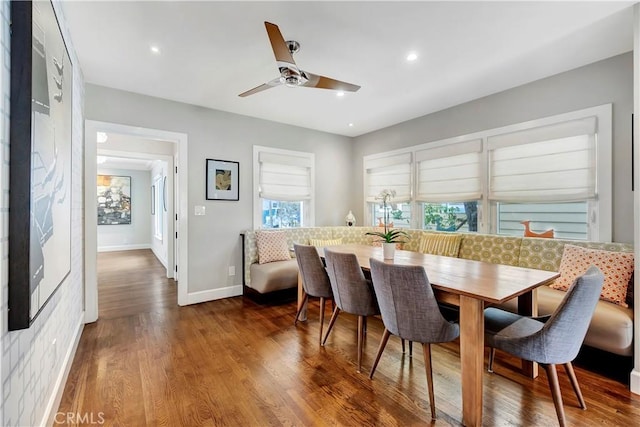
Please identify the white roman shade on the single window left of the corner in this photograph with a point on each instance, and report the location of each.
(285, 176)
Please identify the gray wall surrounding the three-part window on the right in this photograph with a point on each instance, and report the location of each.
(608, 81)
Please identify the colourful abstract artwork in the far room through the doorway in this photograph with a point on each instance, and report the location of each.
(114, 200)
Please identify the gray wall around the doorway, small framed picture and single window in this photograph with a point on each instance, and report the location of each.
(214, 242)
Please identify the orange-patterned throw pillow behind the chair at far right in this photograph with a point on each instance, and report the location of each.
(617, 268)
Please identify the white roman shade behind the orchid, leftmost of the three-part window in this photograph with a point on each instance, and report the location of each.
(392, 173)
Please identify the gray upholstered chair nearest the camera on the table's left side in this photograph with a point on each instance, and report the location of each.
(410, 311)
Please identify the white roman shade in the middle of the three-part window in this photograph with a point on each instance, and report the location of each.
(450, 173)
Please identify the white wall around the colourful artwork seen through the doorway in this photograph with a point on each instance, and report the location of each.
(136, 235)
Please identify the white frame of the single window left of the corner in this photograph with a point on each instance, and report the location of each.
(308, 206)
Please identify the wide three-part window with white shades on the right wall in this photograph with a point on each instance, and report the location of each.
(554, 172)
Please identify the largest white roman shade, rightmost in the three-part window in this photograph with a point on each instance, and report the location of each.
(555, 163)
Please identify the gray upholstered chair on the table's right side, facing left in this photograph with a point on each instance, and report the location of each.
(556, 341)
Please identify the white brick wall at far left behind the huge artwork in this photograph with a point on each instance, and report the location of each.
(33, 368)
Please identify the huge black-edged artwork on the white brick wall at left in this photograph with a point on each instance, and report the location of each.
(40, 166)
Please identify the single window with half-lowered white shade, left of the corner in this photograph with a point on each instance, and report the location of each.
(283, 188)
